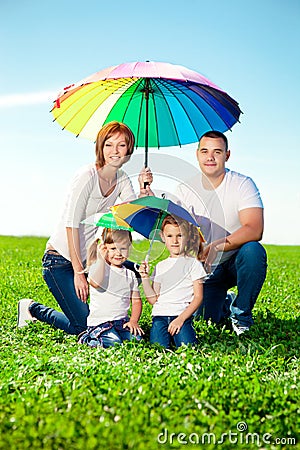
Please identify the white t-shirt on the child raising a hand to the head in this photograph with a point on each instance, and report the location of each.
(112, 300)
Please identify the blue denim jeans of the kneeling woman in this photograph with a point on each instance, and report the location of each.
(59, 276)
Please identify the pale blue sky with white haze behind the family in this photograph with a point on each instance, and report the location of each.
(249, 49)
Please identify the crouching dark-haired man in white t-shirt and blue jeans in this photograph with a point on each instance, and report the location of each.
(229, 210)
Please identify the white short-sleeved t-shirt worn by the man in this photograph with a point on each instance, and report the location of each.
(217, 210)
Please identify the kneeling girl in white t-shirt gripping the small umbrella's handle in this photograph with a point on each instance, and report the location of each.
(177, 291)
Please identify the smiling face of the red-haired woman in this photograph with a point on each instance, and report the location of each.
(115, 150)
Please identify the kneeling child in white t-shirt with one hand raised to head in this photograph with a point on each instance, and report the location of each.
(112, 288)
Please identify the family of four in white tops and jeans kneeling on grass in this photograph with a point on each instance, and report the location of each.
(88, 272)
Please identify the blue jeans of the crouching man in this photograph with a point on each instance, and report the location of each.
(246, 269)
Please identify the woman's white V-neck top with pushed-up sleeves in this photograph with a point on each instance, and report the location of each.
(85, 199)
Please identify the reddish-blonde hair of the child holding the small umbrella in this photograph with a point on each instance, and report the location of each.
(194, 245)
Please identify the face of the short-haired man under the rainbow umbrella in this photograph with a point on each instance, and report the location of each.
(212, 156)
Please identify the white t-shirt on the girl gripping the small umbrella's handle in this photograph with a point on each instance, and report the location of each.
(176, 277)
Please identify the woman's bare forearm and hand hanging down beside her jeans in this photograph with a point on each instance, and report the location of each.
(80, 283)
